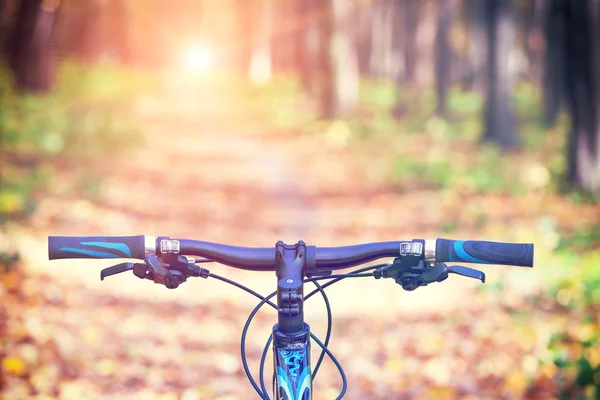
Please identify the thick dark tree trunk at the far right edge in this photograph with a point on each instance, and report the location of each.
(582, 78)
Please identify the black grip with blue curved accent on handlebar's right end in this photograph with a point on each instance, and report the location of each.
(480, 252)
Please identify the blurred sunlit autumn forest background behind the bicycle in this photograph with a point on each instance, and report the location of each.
(332, 121)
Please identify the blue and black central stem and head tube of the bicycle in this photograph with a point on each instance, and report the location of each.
(291, 335)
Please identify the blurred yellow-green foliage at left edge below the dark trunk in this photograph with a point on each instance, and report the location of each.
(87, 116)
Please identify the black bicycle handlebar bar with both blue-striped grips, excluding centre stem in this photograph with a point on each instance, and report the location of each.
(263, 259)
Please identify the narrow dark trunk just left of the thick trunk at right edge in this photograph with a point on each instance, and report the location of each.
(554, 65)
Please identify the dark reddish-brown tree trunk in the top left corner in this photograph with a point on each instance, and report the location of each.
(30, 45)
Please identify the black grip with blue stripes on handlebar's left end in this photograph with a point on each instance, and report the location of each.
(96, 247)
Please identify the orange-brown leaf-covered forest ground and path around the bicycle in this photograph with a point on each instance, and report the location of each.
(205, 174)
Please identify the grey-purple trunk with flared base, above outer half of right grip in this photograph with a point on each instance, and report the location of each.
(498, 115)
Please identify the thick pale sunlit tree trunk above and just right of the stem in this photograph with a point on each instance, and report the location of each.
(340, 78)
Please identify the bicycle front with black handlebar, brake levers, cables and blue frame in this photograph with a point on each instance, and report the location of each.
(171, 262)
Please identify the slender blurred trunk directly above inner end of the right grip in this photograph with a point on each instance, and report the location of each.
(443, 54)
